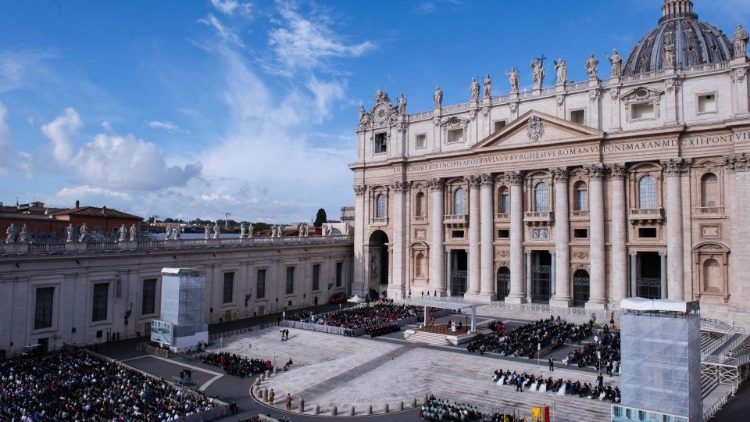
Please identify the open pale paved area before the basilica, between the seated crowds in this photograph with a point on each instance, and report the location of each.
(335, 370)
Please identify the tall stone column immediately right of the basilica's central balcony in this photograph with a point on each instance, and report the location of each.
(562, 239)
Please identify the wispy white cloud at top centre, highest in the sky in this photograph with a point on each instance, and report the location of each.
(303, 43)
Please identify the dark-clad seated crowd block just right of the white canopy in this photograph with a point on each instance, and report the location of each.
(522, 341)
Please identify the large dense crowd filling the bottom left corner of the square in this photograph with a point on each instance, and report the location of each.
(74, 385)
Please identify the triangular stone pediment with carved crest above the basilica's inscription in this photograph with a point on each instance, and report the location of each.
(536, 128)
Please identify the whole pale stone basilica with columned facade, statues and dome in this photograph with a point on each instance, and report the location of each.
(634, 182)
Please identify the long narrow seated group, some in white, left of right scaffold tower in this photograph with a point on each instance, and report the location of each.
(568, 387)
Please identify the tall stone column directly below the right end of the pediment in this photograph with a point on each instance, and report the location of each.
(598, 283)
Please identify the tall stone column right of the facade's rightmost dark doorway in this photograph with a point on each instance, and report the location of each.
(675, 271)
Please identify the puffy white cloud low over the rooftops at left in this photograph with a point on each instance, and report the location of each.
(130, 164)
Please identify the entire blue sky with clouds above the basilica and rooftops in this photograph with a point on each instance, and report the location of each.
(195, 108)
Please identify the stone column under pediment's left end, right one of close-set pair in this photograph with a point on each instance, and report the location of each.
(487, 292)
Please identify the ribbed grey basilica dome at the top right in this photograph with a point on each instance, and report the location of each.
(680, 40)
